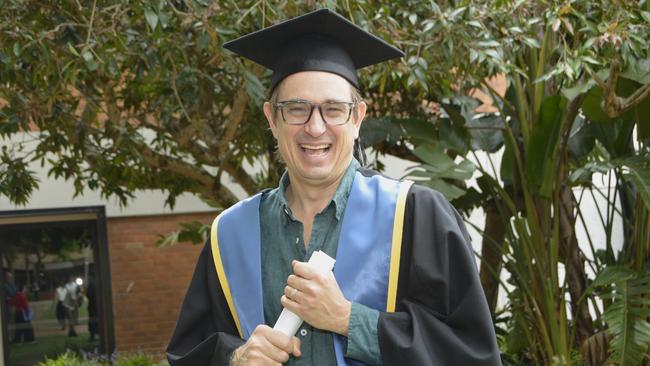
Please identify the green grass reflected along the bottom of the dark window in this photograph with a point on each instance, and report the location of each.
(47, 346)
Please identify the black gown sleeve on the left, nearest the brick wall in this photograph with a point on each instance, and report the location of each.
(205, 333)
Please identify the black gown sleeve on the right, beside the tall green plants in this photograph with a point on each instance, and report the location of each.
(441, 316)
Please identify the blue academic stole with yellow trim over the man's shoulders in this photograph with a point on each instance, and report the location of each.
(367, 258)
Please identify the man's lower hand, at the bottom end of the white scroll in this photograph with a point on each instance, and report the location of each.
(266, 346)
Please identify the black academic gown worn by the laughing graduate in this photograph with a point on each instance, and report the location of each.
(441, 316)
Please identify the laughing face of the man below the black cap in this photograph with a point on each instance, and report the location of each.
(315, 153)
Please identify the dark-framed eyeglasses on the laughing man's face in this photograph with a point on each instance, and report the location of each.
(298, 112)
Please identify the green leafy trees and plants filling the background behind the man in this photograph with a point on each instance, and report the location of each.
(130, 96)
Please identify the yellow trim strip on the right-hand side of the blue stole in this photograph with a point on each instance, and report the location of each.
(396, 250)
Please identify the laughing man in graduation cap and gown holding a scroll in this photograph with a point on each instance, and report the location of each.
(404, 289)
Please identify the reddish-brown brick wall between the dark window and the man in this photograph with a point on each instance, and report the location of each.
(148, 283)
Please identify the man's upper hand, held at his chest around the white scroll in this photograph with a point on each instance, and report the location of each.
(317, 299)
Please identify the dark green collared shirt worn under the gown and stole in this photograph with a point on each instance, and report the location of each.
(282, 242)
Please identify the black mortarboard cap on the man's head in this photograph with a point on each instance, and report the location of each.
(320, 40)
